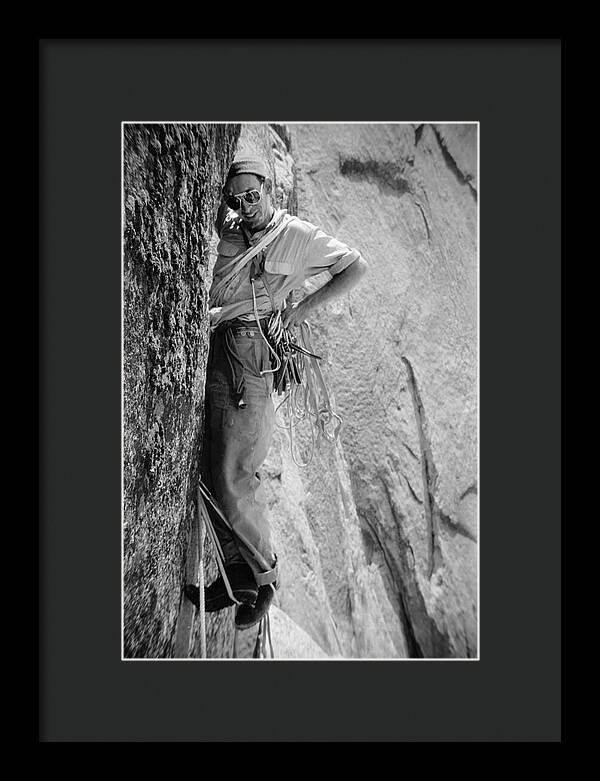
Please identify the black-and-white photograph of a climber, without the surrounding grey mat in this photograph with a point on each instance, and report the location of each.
(300, 391)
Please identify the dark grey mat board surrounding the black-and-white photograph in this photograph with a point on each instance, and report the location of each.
(87, 88)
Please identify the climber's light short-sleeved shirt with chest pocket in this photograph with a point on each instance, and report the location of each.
(300, 251)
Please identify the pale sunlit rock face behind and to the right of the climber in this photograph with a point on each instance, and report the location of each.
(377, 536)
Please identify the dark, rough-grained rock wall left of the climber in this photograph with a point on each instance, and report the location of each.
(171, 181)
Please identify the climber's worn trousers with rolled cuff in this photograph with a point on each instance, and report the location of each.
(239, 425)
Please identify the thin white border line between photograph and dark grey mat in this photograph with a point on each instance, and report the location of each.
(336, 659)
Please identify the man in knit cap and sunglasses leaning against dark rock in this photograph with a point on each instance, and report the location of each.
(282, 251)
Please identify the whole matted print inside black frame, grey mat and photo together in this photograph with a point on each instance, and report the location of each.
(295, 393)
